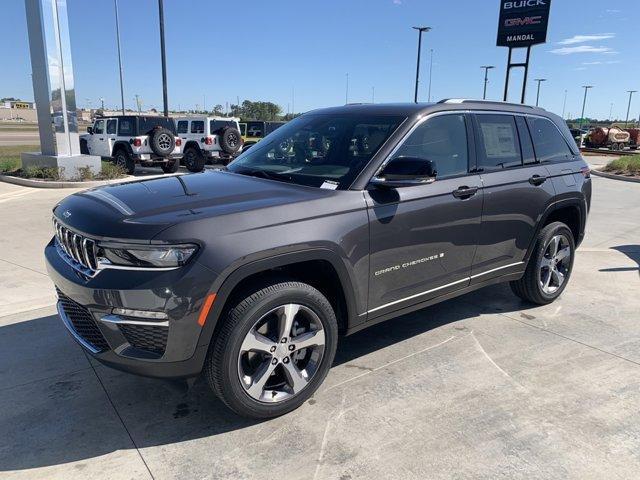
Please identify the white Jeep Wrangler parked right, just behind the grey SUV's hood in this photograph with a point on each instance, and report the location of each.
(206, 138)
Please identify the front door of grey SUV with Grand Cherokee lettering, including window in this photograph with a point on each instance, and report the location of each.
(423, 238)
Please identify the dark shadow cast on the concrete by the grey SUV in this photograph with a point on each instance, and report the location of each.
(66, 416)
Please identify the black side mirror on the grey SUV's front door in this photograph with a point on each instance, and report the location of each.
(406, 172)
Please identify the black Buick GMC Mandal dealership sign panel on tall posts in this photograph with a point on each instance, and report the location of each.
(523, 22)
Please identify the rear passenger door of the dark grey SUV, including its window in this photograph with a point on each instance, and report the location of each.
(517, 191)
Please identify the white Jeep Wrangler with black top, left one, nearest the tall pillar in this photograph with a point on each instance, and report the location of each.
(131, 139)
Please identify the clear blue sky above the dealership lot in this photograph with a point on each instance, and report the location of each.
(263, 50)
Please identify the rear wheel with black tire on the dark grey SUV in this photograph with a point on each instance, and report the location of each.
(534, 286)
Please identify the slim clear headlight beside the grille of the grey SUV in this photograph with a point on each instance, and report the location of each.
(143, 257)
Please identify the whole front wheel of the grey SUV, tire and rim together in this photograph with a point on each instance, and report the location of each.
(262, 306)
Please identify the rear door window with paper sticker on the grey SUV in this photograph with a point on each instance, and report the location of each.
(498, 145)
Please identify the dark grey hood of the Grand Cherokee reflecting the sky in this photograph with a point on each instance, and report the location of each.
(142, 209)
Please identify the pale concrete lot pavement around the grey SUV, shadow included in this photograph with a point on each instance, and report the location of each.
(483, 386)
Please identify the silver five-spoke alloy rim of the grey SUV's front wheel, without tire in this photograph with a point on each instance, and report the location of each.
(281, 353)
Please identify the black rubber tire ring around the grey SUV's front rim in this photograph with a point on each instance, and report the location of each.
(233, 393)
